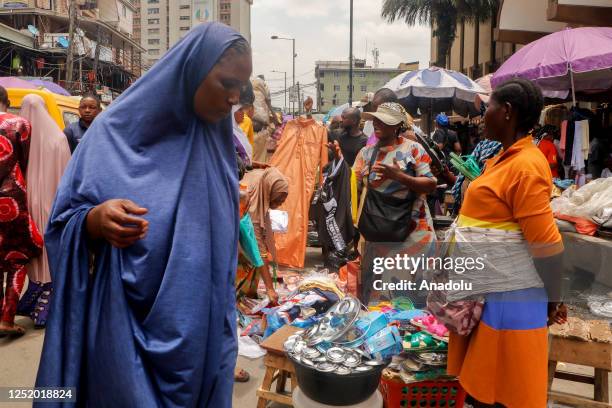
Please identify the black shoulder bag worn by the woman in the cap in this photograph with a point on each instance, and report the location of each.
(385, 218)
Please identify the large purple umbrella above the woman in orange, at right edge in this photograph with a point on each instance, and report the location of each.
(578, 59)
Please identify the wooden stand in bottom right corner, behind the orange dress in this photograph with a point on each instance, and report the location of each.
(591, 354)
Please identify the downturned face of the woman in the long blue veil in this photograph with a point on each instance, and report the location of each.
(220, 90)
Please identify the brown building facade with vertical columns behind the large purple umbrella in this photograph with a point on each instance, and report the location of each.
(480, 49)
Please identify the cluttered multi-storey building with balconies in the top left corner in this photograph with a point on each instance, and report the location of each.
(35, 32)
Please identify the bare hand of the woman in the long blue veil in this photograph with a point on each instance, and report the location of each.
(112, 221)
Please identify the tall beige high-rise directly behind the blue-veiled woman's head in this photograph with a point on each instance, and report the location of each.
(164, 22)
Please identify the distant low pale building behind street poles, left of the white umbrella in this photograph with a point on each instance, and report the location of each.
(333, 80)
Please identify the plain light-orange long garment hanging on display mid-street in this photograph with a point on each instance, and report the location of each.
(302, 151)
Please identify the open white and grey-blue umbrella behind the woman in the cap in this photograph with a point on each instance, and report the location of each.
(436, 90)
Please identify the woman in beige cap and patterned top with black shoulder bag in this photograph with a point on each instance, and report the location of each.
(397, 171)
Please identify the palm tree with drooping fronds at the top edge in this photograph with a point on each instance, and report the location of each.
(442, 15)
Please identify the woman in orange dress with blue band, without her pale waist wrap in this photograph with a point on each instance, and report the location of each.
(504, 360)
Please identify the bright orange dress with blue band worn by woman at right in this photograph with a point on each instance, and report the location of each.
(504, 360)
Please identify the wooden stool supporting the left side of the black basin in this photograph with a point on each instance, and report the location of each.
(278, 368)
